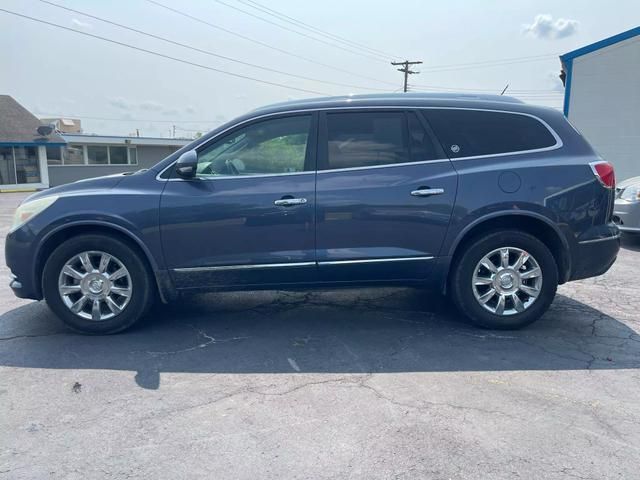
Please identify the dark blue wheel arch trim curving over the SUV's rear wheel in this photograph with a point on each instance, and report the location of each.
(530, 222)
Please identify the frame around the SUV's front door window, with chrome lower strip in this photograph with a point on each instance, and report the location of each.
(310, 153)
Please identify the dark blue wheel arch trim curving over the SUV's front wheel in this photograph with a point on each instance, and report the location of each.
(64, 232)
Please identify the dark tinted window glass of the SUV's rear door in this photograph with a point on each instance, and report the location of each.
(369, 139)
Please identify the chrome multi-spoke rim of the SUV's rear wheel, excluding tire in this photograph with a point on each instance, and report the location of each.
(507, 281)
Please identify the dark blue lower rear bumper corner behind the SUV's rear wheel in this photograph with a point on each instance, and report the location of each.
(595, 257)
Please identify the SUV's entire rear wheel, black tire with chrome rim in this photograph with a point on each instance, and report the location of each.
(471, 290)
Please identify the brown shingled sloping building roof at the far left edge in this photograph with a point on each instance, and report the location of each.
(18, 126)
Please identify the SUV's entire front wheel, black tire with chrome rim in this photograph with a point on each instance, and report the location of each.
(117, 312)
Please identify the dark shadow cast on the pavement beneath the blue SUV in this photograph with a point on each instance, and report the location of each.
(349, 331)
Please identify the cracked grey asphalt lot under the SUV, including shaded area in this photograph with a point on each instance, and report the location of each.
(371, 384)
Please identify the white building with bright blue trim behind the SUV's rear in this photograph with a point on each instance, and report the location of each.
(602, 98)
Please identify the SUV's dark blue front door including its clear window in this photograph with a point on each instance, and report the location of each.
(248, 218)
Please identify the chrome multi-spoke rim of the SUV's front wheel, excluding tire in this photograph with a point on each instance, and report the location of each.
(95, 285)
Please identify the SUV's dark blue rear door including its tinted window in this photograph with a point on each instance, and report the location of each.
(384, 196)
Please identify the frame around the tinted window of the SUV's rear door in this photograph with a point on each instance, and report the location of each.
(323, 137)
